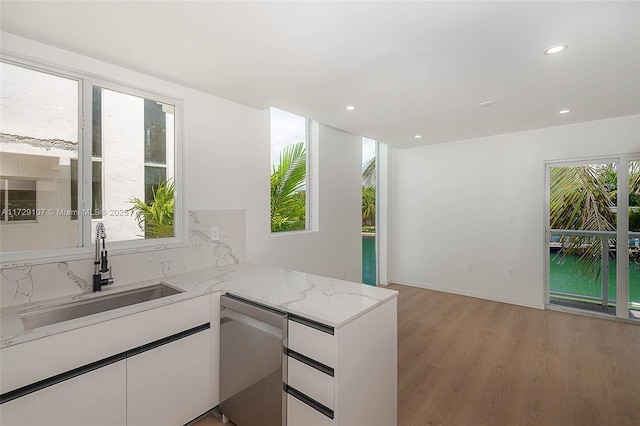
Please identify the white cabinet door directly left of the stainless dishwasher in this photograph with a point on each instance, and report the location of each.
(169, 385)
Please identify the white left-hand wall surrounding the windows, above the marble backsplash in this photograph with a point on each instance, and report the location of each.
(227, 159)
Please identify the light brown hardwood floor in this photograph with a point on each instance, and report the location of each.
(466, 361)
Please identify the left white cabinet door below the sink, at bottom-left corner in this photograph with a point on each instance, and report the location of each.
(96, 398)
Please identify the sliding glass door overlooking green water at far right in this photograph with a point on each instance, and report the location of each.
(592, 258)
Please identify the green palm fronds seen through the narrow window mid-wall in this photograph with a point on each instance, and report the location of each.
(288, 198)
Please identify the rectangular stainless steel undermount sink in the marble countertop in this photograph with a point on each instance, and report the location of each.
(71, 310)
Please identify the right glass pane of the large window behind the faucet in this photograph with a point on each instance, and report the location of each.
(132, 165)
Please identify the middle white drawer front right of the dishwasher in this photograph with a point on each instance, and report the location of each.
(310, 381)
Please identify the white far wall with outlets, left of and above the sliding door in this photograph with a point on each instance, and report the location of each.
(450, 205)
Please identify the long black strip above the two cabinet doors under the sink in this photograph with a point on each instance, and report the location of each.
(54, 380)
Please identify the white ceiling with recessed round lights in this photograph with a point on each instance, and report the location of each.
(410, 67)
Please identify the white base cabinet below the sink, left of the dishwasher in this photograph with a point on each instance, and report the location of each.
(149, 368)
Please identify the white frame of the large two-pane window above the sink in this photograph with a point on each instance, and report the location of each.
(85, 249)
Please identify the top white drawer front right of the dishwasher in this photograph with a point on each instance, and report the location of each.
(313, 343)
